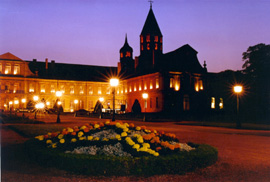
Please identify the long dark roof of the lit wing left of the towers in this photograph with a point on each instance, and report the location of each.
(76, 72)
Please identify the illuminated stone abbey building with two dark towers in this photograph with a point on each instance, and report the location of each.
(174, 81)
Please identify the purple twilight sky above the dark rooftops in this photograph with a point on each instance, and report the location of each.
(93, 31)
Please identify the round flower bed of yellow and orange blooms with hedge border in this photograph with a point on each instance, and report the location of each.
(118, 149)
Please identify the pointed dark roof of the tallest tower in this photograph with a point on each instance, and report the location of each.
(151, 25)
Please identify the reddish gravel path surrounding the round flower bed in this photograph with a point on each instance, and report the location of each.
(243, 156)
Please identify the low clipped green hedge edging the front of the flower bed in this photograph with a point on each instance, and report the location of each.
(202, 156)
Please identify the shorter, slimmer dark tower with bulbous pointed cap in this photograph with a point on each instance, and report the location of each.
(126, 60)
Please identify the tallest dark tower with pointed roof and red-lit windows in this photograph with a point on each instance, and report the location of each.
(150, 42)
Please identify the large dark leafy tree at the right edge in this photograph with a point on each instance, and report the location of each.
(256, 68)
